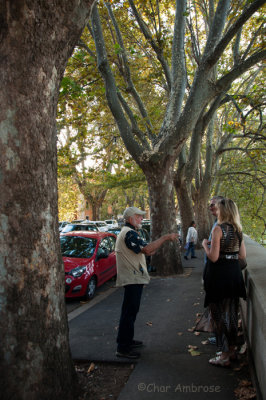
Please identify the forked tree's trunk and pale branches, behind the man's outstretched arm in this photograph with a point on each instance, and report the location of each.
(156, 152)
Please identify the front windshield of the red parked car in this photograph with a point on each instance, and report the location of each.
(78, 247)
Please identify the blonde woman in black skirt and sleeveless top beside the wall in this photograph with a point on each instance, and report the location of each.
(223, 281)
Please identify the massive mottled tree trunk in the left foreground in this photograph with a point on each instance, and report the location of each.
(36, 40)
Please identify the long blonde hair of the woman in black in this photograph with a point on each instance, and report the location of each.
(228, 212)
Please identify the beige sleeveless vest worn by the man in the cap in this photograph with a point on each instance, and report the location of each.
(131, 267)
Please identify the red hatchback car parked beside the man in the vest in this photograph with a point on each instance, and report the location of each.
(89, 260)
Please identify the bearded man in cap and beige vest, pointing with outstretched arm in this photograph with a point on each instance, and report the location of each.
(132, 274)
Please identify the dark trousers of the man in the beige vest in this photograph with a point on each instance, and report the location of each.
(130, 308)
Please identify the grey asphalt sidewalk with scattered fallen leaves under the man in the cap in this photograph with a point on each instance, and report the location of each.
(166, 369)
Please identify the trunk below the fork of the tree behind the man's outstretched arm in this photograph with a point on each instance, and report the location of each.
(167, 259)
